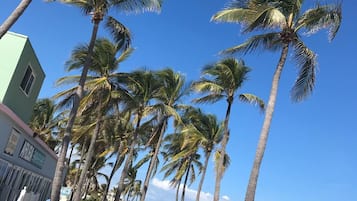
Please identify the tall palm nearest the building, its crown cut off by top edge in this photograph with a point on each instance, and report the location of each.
(98, 10)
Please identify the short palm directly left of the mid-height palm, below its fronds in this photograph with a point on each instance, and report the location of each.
(204, 131)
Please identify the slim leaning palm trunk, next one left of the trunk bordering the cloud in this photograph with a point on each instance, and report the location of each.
(128, 161)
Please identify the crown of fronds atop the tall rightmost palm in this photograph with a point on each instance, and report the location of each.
(284, 15)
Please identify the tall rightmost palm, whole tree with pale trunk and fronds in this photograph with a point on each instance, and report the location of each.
(285, 20)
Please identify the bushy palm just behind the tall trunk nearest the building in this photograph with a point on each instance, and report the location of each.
(100, 89)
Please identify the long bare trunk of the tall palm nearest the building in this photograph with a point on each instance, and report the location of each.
(57, 179)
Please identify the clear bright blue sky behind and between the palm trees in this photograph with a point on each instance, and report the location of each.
(311, 152)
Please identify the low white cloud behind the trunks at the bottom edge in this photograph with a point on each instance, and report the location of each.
(161, 190)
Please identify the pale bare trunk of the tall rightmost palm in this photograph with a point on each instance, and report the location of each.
(252, 185)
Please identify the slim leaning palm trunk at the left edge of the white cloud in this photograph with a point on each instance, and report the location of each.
(153, 161)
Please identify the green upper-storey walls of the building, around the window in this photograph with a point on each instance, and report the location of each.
(16, 55)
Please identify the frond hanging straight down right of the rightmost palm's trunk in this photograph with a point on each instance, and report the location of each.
(306, 62)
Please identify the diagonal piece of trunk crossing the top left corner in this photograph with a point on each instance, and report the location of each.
(19, 10)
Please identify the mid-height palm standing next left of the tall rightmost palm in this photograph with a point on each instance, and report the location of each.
(224, 79)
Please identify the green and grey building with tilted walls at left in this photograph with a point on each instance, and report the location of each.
(26, 162)
